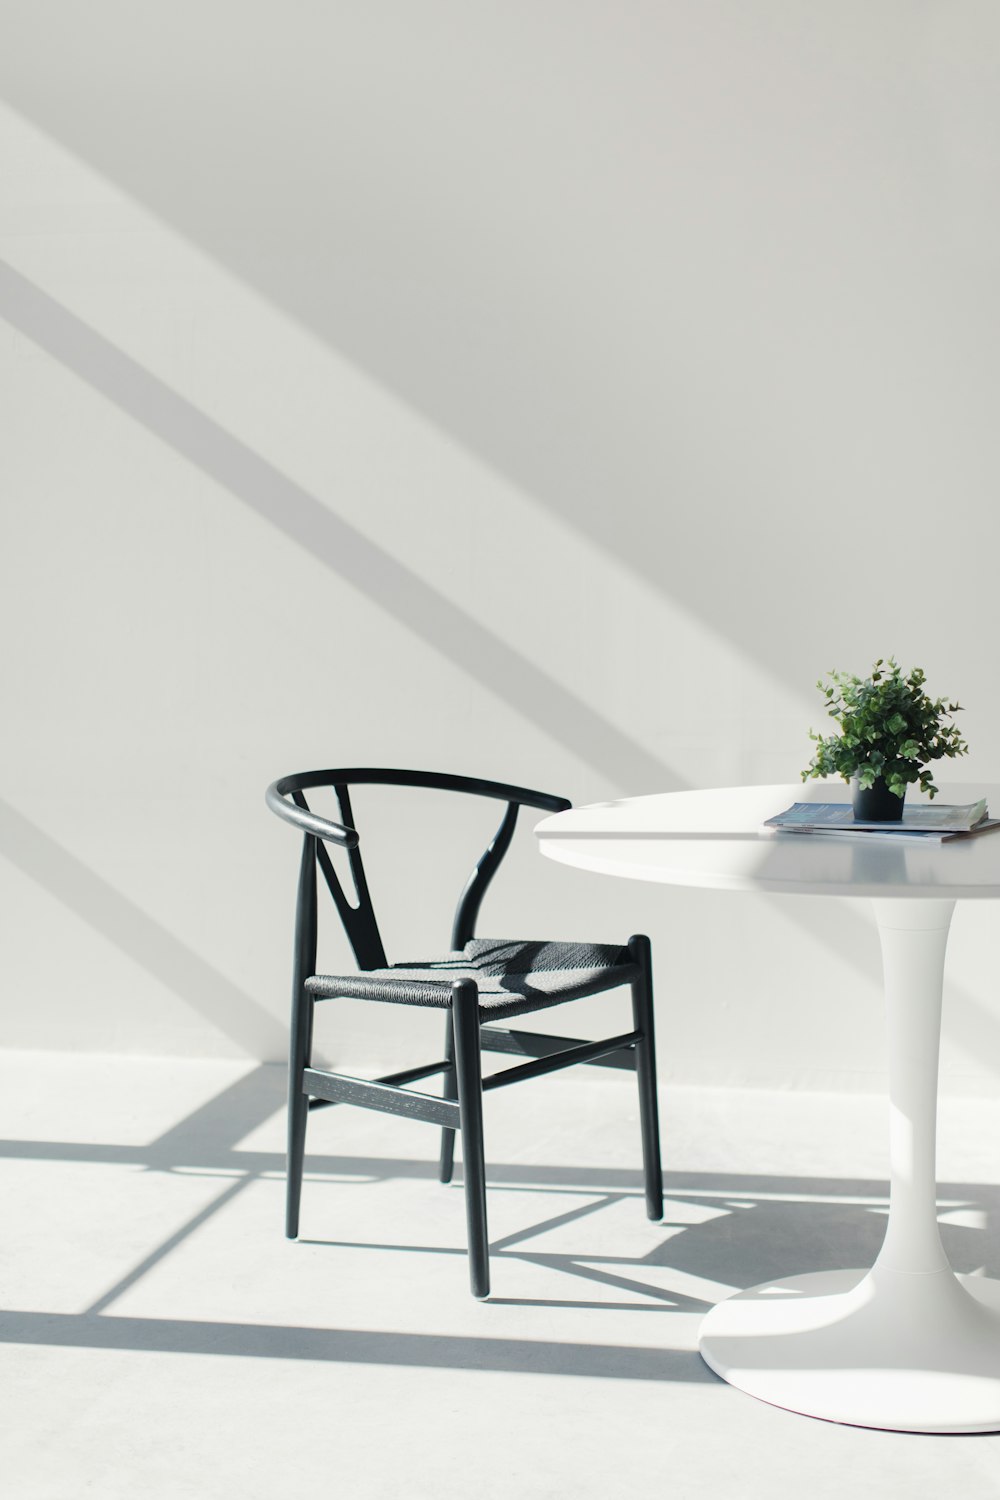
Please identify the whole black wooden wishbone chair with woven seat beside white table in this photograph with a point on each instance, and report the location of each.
(481, 980)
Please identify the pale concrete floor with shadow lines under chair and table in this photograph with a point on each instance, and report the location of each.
(161, 1339)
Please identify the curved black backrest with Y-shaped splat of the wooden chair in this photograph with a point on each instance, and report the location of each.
(359, 917)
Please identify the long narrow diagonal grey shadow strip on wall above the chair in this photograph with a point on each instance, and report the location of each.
(332, 541)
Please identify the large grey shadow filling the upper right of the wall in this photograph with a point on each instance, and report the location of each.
(609, 290)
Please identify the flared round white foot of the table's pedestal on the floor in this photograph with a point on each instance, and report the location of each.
(912, 1352)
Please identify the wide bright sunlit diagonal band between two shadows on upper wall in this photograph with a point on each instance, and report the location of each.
(659, 673)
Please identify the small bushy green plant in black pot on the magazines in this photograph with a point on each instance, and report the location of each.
(891, 731)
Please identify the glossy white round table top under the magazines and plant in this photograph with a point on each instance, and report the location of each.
(716, 839)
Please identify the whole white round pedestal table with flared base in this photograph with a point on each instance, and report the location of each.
(906, 1345)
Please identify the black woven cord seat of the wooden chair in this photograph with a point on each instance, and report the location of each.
(512, 979)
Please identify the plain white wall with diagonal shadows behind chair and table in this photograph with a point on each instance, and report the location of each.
(548, 392)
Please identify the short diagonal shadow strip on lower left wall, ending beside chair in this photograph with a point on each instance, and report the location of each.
(139, 935)
